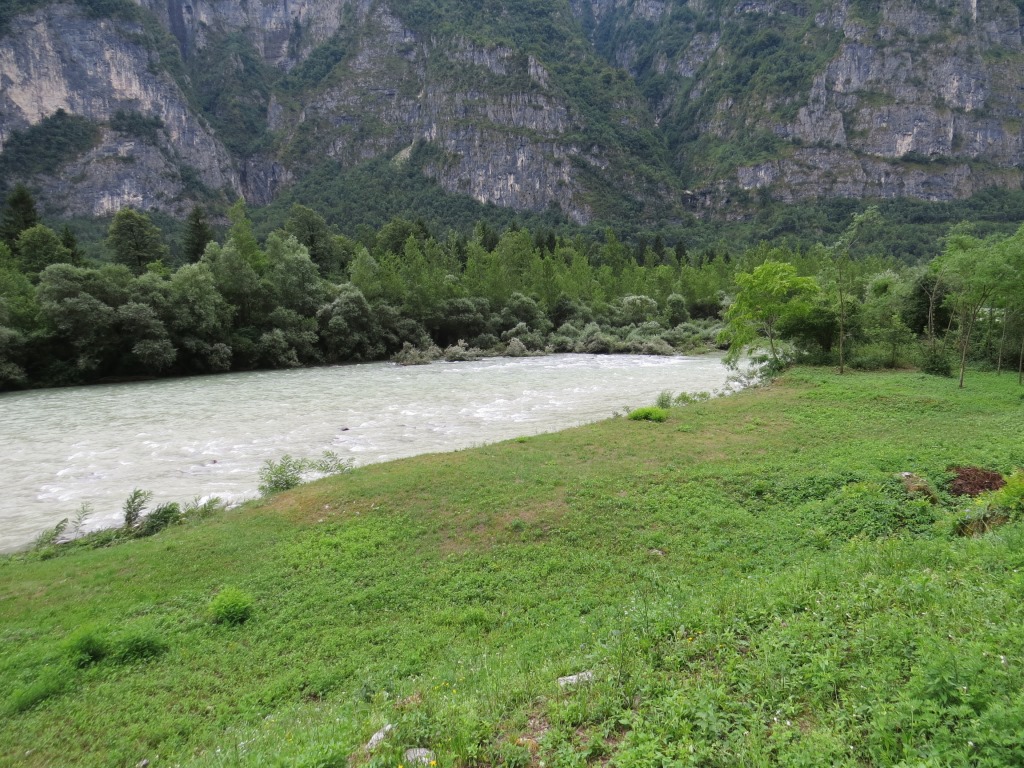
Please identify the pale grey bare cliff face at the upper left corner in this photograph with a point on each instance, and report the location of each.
(54, 60)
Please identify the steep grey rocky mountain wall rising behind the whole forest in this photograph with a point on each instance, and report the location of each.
(604, 110)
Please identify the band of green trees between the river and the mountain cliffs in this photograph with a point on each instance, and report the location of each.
(309, 295)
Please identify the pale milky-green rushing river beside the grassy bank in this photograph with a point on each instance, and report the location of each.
(204, 437)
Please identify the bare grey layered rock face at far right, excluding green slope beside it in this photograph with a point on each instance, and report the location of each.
(936, 90)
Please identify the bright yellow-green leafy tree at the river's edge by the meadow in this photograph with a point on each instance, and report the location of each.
(764, 297)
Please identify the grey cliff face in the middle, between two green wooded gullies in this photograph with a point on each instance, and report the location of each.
(499, 130)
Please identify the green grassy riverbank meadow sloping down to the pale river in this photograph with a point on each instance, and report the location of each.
(749, 582)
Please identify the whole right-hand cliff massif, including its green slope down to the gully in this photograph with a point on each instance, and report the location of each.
(919, 100)
